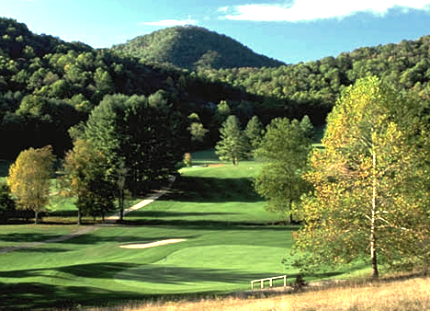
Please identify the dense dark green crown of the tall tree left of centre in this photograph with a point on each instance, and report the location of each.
(142, 132)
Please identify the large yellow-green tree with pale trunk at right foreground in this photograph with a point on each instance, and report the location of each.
(371, 197)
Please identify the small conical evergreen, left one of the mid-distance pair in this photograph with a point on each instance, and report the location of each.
(233, 145)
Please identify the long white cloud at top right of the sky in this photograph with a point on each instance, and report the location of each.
(307, 10)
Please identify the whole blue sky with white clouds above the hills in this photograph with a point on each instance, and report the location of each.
(291, 31)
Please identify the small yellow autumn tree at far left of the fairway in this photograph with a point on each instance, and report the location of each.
(29, 179)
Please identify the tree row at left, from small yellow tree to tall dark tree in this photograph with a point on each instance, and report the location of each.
(129, 144)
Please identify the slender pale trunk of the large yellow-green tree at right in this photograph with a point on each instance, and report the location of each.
(373, 258)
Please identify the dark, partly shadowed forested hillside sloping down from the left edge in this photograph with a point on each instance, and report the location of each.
(48, 85)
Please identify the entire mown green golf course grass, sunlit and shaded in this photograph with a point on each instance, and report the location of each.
(230, 240)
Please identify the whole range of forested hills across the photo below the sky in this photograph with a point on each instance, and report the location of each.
(48, 85)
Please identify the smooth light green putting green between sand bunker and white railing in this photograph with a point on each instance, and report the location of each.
(204, 268)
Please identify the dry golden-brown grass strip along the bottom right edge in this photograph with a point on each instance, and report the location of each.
(401, 295)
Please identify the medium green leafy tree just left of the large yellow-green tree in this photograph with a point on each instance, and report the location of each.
(285, 147)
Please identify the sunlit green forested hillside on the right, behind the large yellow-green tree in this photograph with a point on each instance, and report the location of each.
(319, 83)
